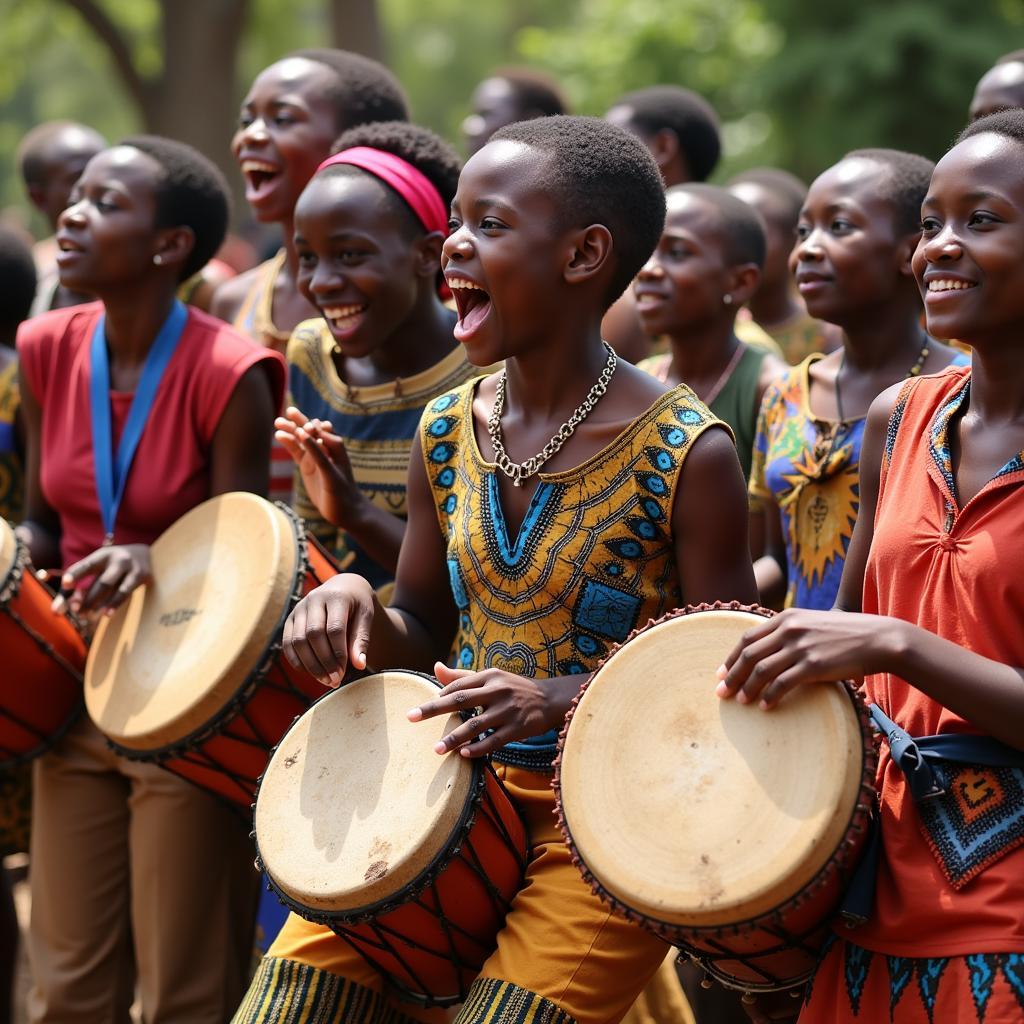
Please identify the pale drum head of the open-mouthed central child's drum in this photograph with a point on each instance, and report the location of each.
(356, 804)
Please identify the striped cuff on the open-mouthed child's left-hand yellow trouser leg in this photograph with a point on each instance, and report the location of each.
(285, 992)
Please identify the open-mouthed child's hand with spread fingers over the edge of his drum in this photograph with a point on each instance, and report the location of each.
(509, 708)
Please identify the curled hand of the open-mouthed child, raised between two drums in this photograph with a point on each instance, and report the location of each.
(329, 630)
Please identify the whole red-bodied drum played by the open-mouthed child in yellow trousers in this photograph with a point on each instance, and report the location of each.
(412, 858)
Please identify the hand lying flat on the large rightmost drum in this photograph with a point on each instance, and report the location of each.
(798, 647)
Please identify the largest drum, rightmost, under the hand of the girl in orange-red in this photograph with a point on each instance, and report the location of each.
(757, 819)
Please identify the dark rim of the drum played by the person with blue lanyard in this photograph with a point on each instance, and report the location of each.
(231, 709)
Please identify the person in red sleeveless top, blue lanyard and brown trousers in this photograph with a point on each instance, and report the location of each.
(137, 410)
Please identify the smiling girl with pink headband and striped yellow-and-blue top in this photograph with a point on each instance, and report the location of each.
(369, 230)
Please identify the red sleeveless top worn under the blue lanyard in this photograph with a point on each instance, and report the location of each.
(172, 472)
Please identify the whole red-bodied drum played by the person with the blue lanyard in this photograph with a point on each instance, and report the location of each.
(189, 673)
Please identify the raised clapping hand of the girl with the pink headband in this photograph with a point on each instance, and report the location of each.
(323, 461)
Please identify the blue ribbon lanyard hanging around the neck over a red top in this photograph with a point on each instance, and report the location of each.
(112, 472)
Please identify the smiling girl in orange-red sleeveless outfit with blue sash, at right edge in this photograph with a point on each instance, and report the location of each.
(932, 595)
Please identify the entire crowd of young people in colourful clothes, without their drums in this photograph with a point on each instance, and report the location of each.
(534, 401)
